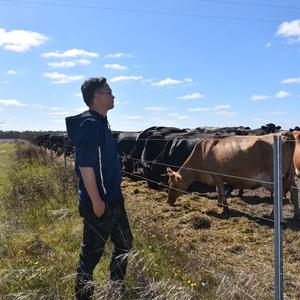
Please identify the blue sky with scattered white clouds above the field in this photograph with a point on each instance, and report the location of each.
(173, 63)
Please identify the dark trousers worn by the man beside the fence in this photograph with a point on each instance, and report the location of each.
(114, 224)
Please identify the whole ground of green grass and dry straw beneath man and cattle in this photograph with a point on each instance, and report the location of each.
(190, 251)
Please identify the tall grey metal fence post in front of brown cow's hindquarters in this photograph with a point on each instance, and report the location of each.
(277, 165)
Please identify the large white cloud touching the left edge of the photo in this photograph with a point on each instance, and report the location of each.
(20, 40)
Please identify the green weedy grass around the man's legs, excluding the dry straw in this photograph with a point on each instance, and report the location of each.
(41, 233)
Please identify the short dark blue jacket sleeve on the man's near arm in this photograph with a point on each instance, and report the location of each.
(88, 143)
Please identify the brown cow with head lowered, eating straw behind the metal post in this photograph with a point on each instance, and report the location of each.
(248, 157)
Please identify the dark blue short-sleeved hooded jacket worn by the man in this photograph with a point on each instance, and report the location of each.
(95, 147)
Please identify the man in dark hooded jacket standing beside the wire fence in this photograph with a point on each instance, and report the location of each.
(100, 199)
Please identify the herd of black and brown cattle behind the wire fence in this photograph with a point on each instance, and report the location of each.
(226, 158)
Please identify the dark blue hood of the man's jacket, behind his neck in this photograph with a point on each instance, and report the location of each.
(73, 123)
